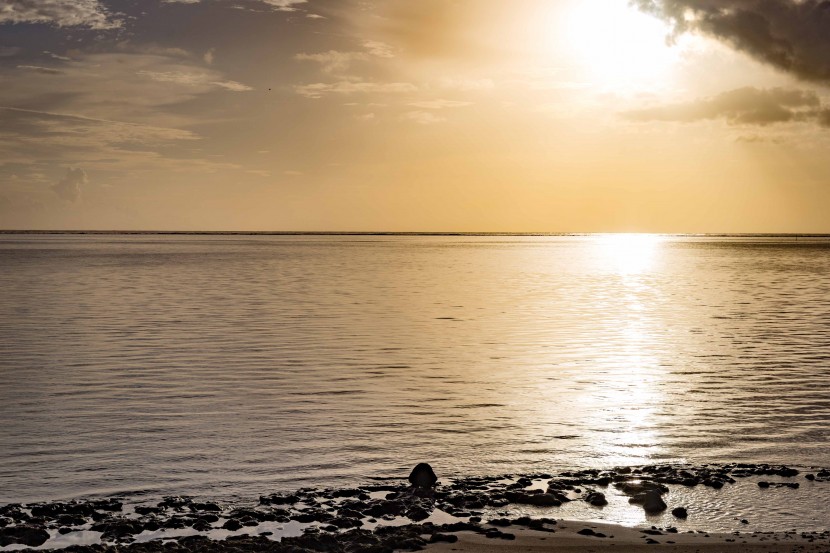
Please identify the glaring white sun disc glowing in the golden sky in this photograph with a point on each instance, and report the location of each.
(612, 44)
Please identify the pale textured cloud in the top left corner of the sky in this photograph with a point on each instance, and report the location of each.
(61, 13)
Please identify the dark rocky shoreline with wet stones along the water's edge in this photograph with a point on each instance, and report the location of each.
(381, 517)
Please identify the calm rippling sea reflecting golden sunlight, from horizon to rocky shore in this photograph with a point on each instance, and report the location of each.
(239, 365)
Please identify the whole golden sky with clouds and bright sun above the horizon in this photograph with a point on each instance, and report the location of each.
(405, 115)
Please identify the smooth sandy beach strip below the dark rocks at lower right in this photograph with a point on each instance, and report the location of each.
(620, 539)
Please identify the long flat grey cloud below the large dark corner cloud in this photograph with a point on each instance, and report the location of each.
(743, 106)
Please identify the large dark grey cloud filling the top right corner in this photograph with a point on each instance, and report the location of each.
(791, 35)
